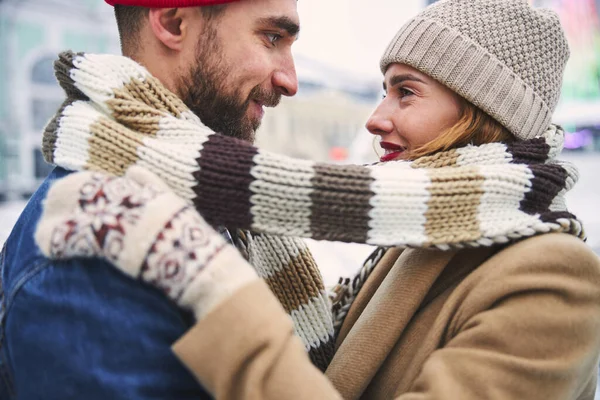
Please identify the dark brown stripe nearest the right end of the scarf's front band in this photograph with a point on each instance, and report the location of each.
(548, 180)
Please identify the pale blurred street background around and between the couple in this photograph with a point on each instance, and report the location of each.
(340, 83)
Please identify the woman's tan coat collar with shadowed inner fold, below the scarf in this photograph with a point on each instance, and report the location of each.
(401, 284)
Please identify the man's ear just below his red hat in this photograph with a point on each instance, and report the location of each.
(170, 25)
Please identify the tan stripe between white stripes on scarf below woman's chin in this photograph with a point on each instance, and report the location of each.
(463, 196)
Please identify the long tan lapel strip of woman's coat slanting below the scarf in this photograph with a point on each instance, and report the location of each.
(378, 328)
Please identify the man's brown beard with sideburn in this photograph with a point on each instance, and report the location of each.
(204, 91)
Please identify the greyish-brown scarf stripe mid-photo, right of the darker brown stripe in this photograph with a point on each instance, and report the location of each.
(341, 198)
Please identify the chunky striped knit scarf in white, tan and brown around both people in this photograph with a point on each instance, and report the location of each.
(117, 115)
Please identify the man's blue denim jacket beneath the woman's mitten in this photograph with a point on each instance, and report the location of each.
(80, 329)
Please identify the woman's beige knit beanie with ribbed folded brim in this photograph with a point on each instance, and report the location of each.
(504, 56)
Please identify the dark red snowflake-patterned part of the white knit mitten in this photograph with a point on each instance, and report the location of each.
(114, 216)
